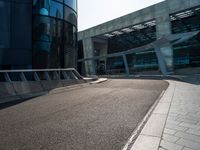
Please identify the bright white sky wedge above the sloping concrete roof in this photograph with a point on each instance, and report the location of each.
(95, 12)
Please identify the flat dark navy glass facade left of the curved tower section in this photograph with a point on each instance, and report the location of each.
(15, 34)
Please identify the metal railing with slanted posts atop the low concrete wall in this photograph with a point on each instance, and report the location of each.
(39, 75)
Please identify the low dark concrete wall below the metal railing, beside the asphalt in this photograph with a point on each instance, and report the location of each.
(22, 90)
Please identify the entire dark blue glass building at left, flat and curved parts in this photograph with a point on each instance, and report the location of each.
(38, 34)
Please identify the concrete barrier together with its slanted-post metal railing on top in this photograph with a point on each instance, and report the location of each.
(22, 84)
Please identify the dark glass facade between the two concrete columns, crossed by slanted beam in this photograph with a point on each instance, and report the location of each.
(144, 61)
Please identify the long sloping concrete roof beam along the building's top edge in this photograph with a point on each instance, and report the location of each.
(143, 15)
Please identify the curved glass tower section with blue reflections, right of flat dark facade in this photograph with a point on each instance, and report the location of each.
(54, 33)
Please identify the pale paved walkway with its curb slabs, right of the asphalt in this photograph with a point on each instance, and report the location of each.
(175, 122)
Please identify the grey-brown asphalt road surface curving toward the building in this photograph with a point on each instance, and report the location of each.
(93, 117)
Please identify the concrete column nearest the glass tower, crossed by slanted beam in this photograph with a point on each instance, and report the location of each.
(88, 50)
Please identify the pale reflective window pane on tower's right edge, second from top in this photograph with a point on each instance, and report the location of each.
(70, 15)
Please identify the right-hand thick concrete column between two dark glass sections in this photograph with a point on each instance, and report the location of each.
(163, 27)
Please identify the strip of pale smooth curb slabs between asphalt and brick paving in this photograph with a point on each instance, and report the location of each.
(151, 133)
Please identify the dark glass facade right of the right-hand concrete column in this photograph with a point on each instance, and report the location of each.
(186, 54)
